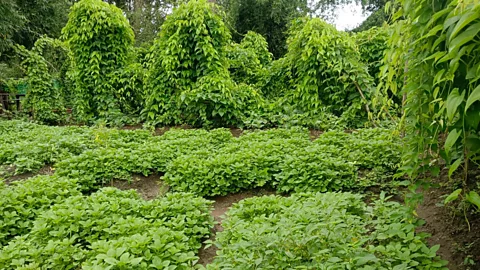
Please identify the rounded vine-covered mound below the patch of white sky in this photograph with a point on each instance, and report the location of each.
(326, 68)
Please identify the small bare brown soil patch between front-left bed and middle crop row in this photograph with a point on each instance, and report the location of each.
(149, 187)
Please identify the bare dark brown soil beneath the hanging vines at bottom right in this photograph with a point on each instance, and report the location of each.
(450, 231)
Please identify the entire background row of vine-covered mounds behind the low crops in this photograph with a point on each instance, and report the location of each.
(194, 73)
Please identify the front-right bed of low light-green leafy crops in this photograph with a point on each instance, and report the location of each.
(322, 231)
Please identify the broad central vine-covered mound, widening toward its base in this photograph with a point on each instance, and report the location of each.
(188, 81)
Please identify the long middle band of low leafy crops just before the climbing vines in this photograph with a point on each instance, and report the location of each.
(208, 162)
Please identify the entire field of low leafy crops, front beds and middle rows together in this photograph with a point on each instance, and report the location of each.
(70, 220)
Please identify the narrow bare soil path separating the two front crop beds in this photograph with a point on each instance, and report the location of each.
(220, 207)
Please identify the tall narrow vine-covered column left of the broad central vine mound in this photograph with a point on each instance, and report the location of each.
(100, 38)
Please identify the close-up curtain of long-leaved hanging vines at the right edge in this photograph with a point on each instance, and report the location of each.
(435, 51)
